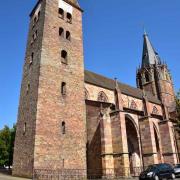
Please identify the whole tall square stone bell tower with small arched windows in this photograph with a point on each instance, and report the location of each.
(51, 129)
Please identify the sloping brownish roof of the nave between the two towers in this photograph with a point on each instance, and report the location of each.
(99, 80)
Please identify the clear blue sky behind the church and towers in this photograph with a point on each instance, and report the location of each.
(113, 32)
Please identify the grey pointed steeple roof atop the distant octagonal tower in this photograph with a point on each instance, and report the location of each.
(149, 56)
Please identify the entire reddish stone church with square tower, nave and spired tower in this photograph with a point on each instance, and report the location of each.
(70, 118)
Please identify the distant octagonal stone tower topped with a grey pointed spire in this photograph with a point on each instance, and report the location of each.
(154, 76)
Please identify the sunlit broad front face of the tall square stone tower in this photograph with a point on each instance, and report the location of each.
(53, 149)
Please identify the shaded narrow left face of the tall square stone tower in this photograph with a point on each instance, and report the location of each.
(24, 142)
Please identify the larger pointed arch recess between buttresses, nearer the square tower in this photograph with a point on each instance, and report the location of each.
(133, 145)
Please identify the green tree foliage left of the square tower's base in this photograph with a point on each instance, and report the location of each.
(7, 138)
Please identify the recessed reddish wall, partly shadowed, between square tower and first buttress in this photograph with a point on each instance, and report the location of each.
(94, 147)
